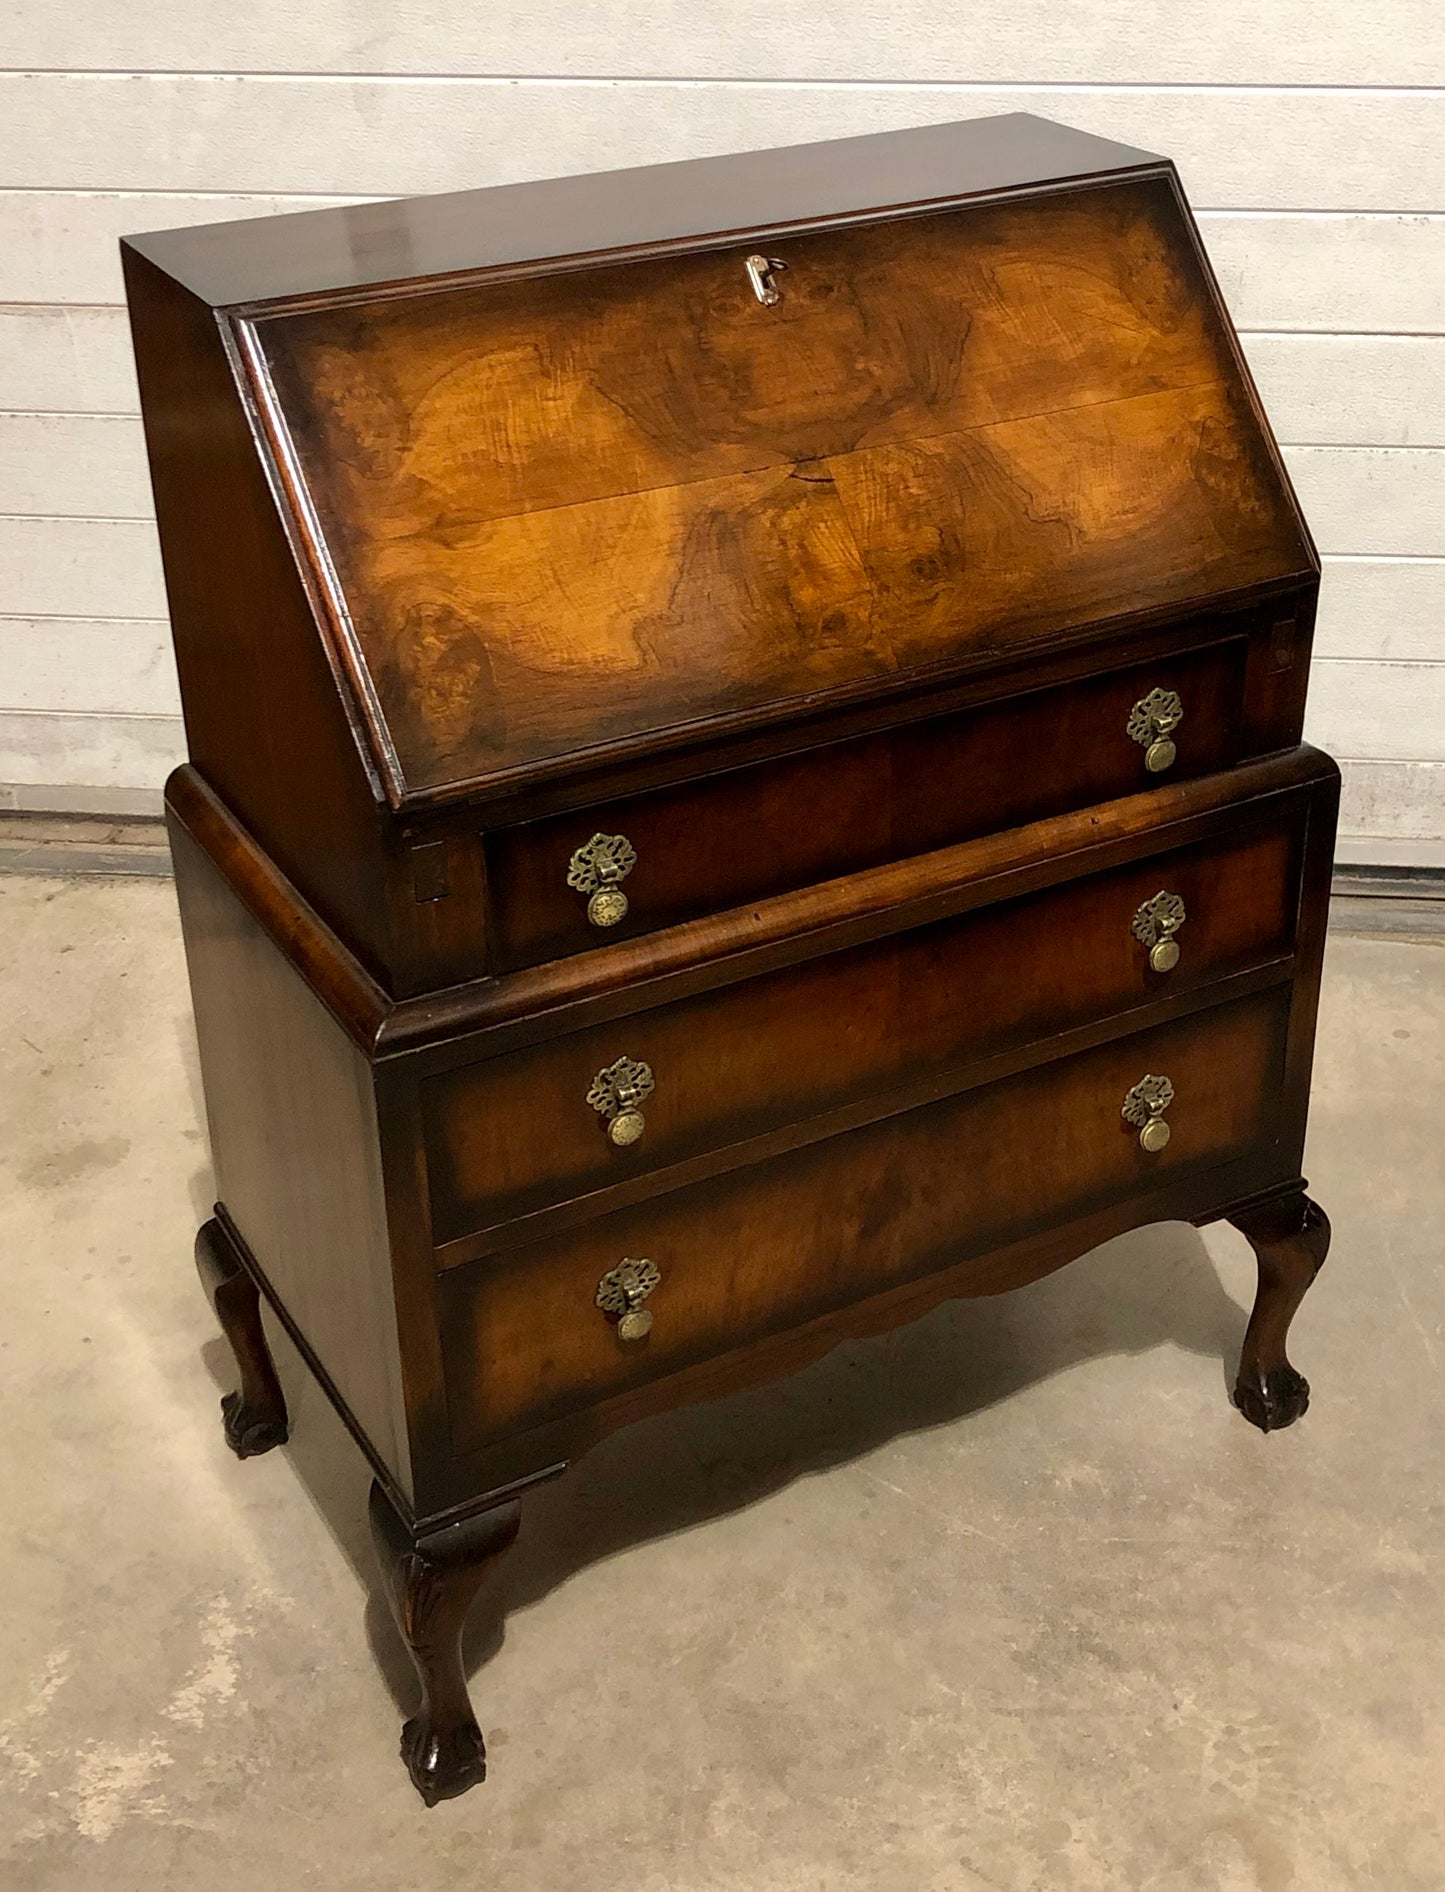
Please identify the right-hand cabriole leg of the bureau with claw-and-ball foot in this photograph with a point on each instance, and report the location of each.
(1291, 1240)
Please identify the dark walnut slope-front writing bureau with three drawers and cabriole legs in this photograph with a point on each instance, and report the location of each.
(744, 780)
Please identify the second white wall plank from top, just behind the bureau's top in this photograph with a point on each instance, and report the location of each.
(1245, 147)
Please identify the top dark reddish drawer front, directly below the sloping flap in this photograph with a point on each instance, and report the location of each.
(769, 830)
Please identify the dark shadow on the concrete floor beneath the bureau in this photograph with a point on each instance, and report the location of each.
(1141, 1291)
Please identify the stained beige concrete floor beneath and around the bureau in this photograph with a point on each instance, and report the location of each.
(1009, 1602)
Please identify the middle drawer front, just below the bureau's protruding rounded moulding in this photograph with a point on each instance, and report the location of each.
(519, 1134)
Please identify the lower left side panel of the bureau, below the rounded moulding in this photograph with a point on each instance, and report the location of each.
(296, 1149)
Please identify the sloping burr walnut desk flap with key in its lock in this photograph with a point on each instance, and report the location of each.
(559, 514)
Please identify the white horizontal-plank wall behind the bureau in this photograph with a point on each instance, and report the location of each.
(1310, 139)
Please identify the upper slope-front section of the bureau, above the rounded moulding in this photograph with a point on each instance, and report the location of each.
(966, 449)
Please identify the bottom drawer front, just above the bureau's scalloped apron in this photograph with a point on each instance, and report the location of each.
(769, 1248)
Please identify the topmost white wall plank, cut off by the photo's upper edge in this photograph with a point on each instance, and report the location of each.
(1293, 43)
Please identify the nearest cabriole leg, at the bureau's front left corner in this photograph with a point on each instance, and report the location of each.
(430, 1585)
